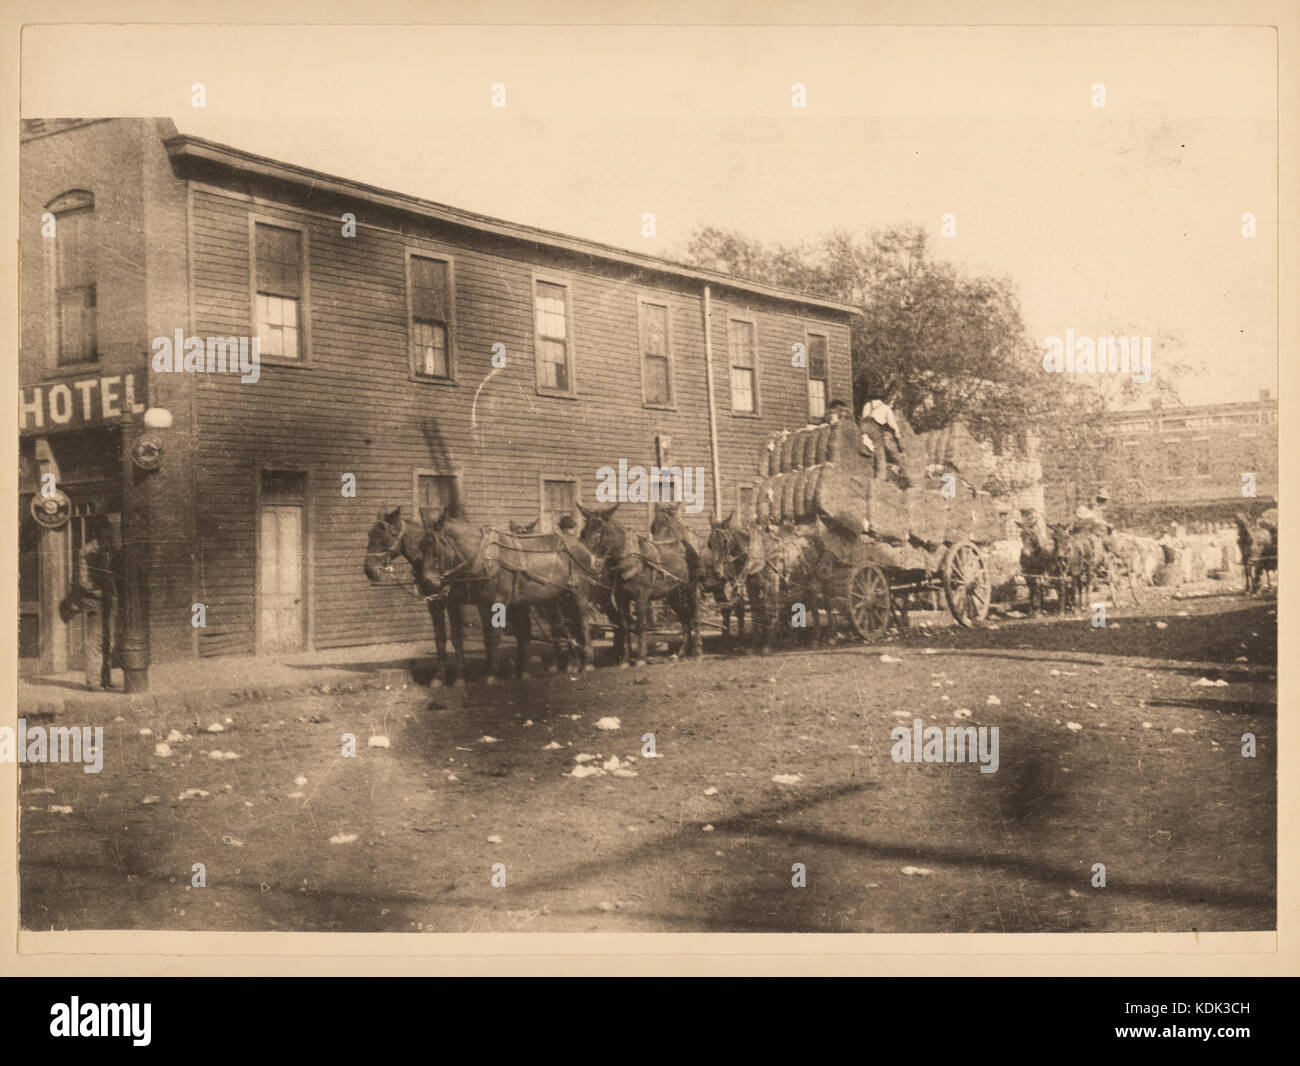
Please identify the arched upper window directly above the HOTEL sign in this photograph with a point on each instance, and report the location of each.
(75, 279)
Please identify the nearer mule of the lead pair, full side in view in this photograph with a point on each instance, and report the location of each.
(505, 574)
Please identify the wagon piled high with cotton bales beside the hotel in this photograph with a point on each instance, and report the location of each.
(887, 531)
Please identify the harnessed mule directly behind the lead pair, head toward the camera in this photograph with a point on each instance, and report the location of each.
(642, 570)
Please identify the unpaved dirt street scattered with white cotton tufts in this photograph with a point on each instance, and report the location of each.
(1112, 751)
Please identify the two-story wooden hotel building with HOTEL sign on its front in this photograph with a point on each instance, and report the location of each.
(422, 354)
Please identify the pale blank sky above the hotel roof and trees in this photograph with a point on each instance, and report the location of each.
(1124, 219)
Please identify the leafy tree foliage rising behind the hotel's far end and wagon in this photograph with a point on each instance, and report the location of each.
(941, 346)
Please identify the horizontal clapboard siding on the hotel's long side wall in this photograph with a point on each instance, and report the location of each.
(354, 409)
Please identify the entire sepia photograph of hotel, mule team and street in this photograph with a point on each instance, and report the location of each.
(648, 479)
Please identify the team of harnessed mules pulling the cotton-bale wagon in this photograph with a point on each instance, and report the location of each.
(518, 577)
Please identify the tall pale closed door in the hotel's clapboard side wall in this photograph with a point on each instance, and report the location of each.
(283, 562)
